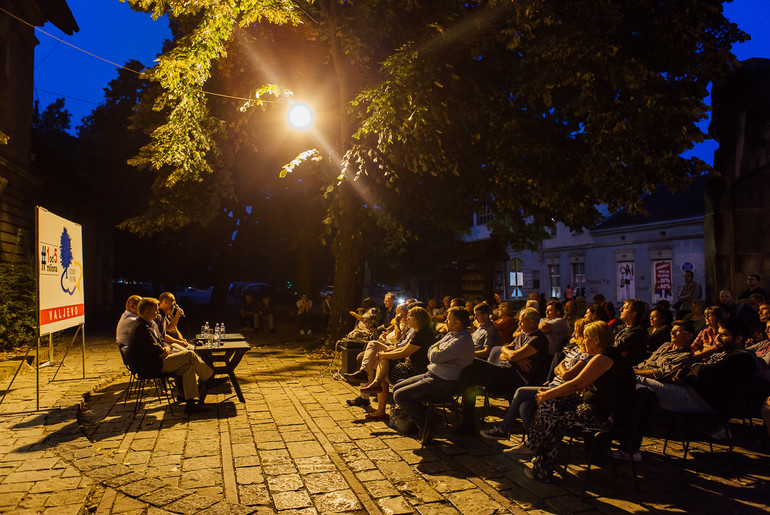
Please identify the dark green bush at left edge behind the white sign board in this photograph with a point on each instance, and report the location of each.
(18, 302)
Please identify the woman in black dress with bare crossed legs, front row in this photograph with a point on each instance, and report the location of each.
(407, 361)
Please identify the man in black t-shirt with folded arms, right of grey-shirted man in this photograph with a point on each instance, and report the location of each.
(523, 362)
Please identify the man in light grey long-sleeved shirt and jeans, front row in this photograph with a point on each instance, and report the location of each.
(447, 359)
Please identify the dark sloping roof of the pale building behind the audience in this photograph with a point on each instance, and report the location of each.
(663, 206)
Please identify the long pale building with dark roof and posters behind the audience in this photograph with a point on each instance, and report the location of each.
(626, 256)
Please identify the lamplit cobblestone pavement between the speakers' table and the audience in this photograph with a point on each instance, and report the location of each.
(296, 447)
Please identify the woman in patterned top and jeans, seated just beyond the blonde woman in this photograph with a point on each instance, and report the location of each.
(523, 403)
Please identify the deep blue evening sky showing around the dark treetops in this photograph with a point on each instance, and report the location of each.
(113, 31)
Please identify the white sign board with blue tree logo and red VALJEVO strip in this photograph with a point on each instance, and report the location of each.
(60, 272)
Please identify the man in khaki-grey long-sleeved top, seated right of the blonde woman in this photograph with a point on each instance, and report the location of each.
(670, 358)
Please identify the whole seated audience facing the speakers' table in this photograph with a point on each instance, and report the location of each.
(558, 373)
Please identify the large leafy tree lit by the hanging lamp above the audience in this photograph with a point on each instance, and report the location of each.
(540, 109)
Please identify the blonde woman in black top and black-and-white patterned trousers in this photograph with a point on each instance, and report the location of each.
(607, 384)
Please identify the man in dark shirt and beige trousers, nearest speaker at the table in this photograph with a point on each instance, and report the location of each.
(149, 355)
